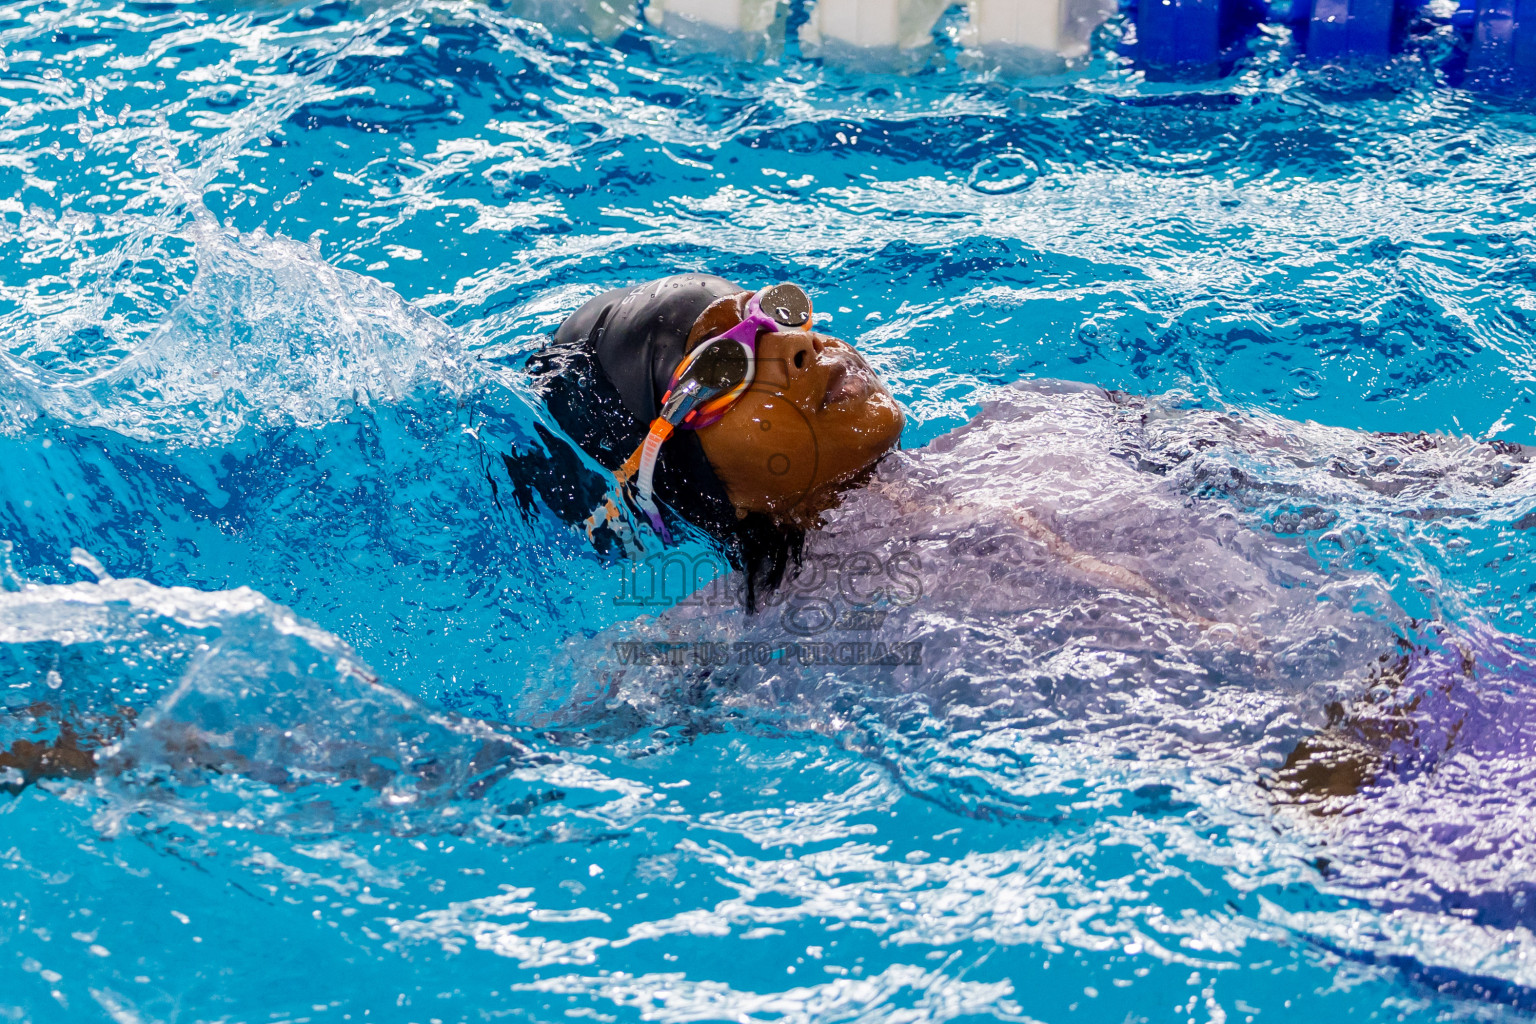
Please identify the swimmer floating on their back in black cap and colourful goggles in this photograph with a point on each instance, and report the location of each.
(1061, 537)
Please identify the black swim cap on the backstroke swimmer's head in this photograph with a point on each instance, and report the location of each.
(603, 378)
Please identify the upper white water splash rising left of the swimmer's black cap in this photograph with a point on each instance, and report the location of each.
(268, 335)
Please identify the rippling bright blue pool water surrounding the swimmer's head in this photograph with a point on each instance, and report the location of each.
(372, 742)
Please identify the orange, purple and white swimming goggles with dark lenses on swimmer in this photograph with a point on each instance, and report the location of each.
(704, 386)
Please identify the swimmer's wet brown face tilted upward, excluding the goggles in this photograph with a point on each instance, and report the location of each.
(815, 418)
